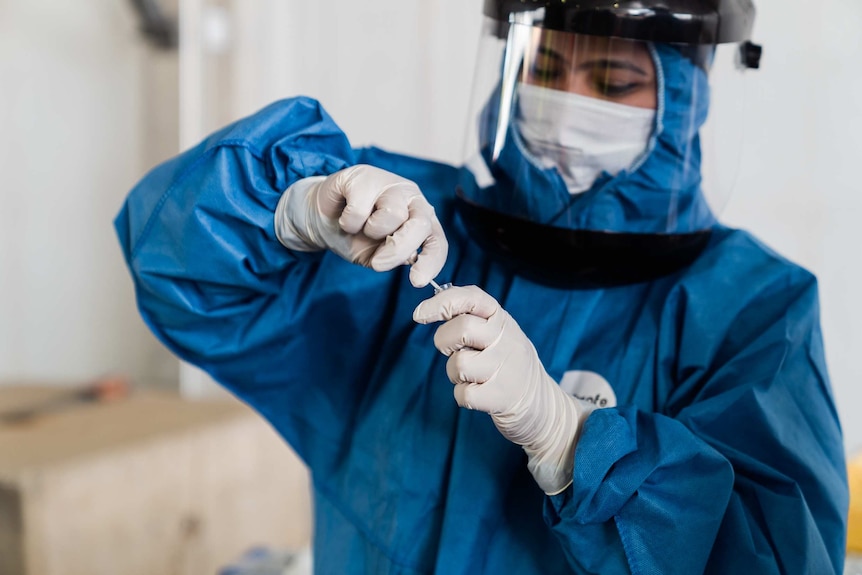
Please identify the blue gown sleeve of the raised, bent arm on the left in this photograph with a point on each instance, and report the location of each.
(216, 287)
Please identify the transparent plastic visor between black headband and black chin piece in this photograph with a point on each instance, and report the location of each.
(605, 134)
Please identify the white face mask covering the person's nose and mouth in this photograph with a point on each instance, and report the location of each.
(581, 136)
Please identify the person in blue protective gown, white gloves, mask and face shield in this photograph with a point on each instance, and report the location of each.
(637, 388)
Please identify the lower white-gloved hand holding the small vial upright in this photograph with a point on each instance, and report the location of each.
(496, 369)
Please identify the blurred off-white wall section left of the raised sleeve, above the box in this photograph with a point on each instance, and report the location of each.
(78, 126)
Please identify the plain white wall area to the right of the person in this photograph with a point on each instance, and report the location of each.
(798, 187)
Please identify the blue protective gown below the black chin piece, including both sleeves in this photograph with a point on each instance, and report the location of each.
(724, 453)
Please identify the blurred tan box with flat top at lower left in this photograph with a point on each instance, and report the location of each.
(148, 485)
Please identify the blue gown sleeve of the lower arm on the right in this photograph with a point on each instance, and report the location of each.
(742, 469)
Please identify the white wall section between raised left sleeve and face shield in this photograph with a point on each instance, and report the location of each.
(391, 73)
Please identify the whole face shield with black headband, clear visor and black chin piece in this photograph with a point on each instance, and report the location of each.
(592, 153)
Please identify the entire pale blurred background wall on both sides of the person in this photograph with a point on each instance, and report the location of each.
(87, 106)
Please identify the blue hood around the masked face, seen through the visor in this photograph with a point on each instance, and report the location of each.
(662, 193)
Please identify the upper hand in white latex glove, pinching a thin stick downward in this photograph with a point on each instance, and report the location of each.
(367, 216)
